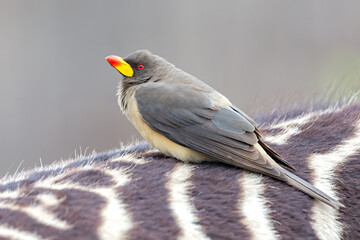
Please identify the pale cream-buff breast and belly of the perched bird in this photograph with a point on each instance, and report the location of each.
(157, 140)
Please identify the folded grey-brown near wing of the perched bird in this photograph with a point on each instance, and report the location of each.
(190, 119)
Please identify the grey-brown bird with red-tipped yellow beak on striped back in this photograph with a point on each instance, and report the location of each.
(185, 118)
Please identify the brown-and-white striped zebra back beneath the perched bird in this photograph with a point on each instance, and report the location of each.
(137, 193)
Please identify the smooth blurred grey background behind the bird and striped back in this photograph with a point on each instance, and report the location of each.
(57, 93)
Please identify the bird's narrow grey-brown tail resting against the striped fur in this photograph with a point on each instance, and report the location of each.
(309, 189)
